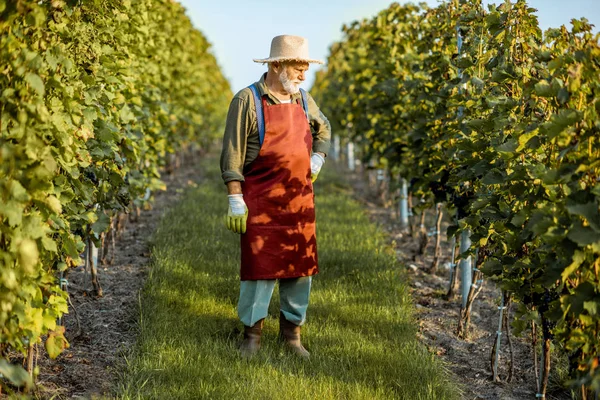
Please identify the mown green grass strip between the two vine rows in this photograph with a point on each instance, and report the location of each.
(360, 328)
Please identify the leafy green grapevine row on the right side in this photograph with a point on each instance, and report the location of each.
(507, 131)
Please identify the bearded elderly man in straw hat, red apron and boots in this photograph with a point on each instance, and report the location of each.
(275, 143)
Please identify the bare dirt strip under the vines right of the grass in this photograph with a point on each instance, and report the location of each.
(469, 360)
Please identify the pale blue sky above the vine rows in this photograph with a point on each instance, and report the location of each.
(242, 30)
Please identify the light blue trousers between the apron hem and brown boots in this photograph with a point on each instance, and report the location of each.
(255, 297)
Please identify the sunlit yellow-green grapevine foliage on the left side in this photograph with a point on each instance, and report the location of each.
(94, 96)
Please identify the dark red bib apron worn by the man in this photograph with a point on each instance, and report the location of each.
(280, 240)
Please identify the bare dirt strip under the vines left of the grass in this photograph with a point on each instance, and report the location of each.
(88, 369)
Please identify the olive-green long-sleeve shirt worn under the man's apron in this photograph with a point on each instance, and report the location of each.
(241, 142)
